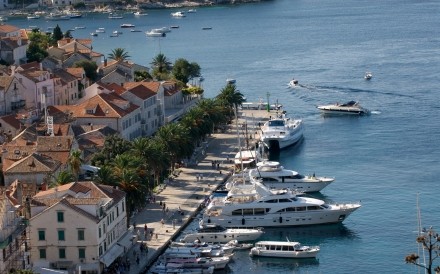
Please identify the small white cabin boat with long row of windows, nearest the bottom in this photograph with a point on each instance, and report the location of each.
(283, 250)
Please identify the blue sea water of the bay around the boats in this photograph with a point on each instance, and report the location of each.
(385, 159)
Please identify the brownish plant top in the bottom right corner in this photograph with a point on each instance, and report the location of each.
(430, 241)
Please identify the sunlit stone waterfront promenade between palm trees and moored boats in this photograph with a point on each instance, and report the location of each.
(187, 191)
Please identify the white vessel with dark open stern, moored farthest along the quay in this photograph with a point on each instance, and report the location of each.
(281, 132)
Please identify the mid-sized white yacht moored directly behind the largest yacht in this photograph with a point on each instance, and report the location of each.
(274, 175)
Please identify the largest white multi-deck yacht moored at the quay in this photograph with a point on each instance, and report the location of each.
(261, 207)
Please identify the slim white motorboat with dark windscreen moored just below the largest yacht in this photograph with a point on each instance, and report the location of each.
(218, 234)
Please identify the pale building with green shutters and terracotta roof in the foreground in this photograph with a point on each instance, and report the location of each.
(78, 226)
